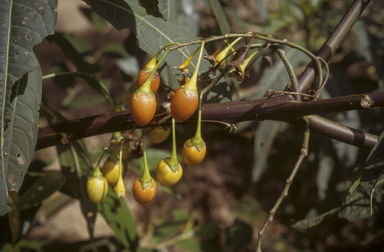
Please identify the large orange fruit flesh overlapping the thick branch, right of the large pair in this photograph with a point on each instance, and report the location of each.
(183, 105)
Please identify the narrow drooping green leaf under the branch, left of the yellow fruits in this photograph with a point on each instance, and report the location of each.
(76, 167)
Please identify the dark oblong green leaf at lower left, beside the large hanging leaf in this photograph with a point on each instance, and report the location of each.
(49, 183)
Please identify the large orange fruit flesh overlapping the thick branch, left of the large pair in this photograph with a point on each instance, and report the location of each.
(143, 108)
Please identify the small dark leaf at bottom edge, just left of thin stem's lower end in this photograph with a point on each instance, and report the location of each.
(238, 235)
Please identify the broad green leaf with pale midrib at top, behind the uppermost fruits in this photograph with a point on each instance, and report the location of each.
(128, 14)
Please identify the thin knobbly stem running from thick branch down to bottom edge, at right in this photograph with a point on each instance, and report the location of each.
(284, 193)
